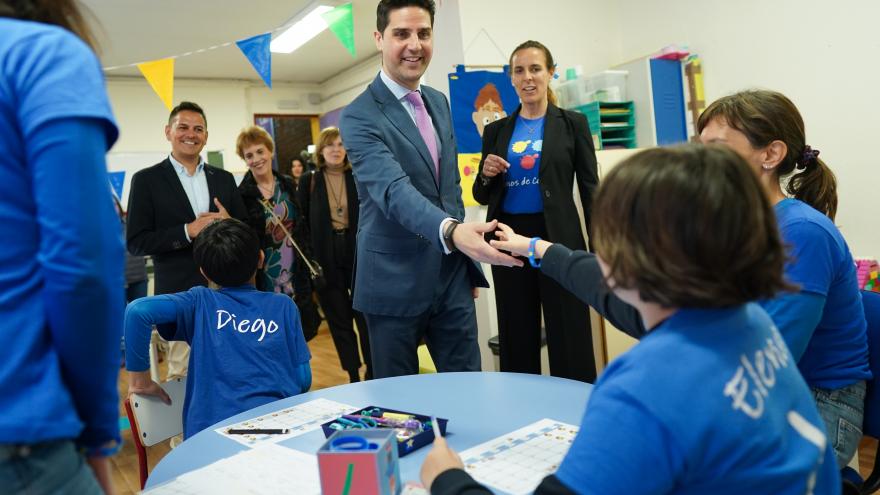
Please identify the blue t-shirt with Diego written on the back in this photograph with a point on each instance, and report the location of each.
(246, 345)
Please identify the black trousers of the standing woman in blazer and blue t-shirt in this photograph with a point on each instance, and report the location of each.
(520, 294)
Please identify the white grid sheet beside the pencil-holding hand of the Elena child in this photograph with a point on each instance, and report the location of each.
(517, 462)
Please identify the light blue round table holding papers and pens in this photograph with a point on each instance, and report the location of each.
(479, 406)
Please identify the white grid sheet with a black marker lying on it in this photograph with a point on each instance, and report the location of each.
(299, 419)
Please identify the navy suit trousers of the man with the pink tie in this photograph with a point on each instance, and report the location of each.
(449, 329)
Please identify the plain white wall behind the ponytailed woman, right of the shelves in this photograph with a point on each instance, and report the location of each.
(822, 55)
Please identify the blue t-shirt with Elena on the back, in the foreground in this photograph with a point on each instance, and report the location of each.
(711, 401)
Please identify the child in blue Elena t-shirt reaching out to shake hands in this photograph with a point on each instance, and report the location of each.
(710, 400)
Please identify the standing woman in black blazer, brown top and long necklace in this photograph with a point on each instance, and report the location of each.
(329, 201)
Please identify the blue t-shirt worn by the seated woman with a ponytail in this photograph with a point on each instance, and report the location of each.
(820, 262)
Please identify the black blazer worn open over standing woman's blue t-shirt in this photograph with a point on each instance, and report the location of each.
(567, 153)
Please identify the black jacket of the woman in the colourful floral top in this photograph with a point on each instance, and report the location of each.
(251, 195)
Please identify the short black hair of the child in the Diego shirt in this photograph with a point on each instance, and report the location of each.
(228, 252)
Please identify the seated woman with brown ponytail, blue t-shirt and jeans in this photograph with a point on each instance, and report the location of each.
(823, 322)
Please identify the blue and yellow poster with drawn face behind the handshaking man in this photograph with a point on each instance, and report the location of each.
(477, 98)
